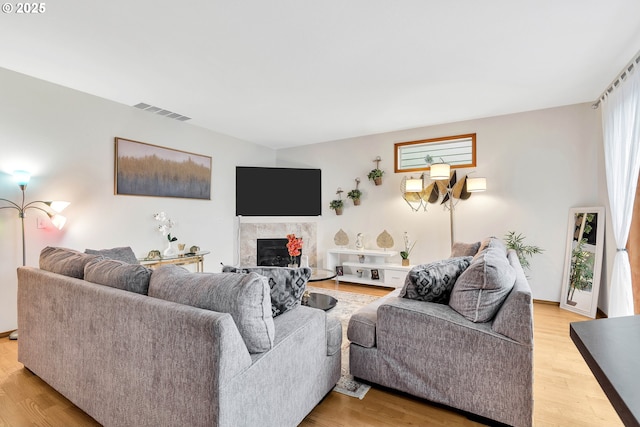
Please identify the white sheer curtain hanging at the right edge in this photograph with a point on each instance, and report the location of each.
(621, 127)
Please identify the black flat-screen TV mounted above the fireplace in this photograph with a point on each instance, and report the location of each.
(262, 191)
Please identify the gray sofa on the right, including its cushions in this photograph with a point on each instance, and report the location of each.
(471, 350)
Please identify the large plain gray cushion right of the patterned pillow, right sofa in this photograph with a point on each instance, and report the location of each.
(482, 288)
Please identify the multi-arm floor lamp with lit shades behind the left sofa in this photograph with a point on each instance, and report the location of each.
(51, 208)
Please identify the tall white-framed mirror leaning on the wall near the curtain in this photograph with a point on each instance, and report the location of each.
(583, 261)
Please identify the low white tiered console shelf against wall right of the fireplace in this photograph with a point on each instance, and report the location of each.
(371, 263)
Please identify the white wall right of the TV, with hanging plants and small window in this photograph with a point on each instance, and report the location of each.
(537, 164)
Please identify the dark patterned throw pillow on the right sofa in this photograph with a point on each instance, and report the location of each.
(433, 282)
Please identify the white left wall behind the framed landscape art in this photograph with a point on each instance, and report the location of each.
(66, 140)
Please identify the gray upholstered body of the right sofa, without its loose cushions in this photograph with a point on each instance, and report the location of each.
(431, 351)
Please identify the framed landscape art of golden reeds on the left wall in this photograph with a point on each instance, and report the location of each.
(149, 170)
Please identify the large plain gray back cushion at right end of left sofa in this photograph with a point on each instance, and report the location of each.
(245, 296)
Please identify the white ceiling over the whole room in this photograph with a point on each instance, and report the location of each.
(291, 72)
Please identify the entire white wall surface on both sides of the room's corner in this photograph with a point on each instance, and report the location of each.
(538, 165)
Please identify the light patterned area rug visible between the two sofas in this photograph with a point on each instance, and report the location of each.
(348, 303)
